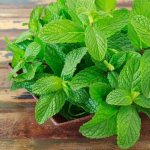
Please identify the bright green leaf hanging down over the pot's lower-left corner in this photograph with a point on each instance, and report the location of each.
(49, 105)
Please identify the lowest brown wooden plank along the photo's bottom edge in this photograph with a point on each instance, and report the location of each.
(46, 144)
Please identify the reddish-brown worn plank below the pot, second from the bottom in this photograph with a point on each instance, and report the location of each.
(21, 124)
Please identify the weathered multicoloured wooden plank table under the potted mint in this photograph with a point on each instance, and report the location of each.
(18, 129)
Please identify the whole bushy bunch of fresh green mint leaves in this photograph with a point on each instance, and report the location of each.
(87, 57)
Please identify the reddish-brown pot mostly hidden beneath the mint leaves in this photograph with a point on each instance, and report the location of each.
(59, 121)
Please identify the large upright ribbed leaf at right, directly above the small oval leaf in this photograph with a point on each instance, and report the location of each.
(130, 76)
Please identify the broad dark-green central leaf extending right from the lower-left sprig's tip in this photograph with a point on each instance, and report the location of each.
(86, 77)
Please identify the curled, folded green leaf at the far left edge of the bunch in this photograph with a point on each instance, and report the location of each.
(29, 72)
